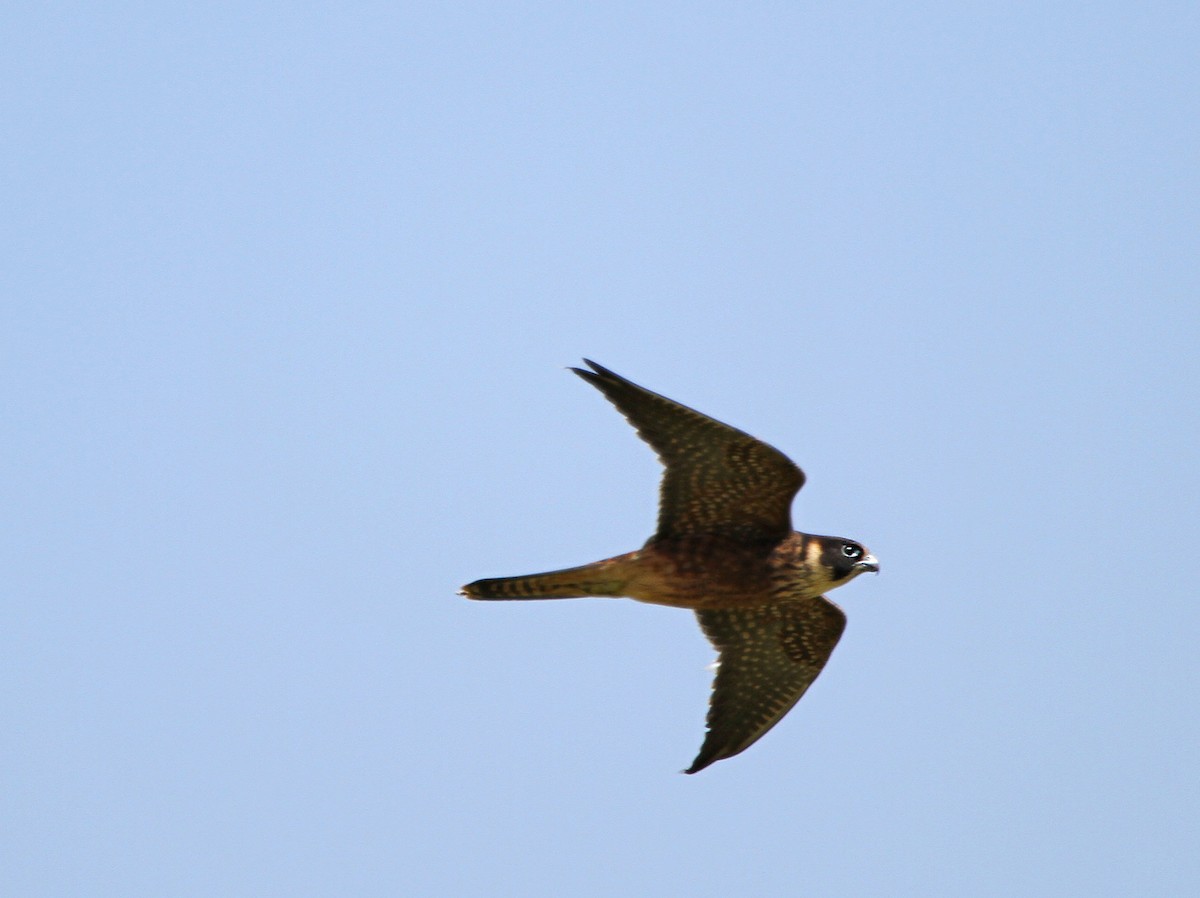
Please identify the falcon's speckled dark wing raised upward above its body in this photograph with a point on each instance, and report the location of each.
(717, 481)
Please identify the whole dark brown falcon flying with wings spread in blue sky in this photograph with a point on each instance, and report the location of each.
(725, 549)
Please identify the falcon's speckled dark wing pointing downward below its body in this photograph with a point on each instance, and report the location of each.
(770, 656)
